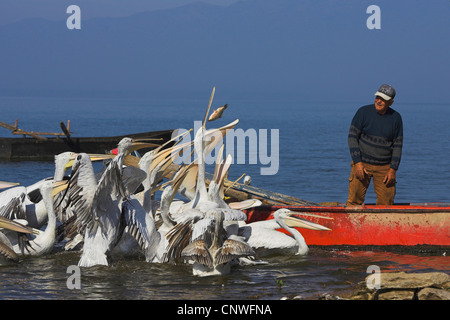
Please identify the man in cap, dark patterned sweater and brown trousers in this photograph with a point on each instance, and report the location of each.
(375, 141)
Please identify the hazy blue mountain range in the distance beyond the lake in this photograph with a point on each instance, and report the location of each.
(314, 49)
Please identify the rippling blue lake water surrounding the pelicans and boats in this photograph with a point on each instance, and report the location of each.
(314, 164)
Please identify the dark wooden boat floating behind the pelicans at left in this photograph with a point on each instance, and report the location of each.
(37, 148)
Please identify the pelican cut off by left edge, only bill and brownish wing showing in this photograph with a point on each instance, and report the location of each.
(7, 253)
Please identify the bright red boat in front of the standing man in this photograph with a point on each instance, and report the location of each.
(404, 225)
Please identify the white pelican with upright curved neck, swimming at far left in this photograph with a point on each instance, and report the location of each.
(42, 243)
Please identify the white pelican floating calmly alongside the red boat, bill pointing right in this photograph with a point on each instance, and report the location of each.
(265, 239)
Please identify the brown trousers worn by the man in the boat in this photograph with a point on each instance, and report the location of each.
(357, 189)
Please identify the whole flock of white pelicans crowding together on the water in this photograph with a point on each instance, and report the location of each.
(113, 213)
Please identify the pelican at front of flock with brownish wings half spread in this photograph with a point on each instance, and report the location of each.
(215, 258)
